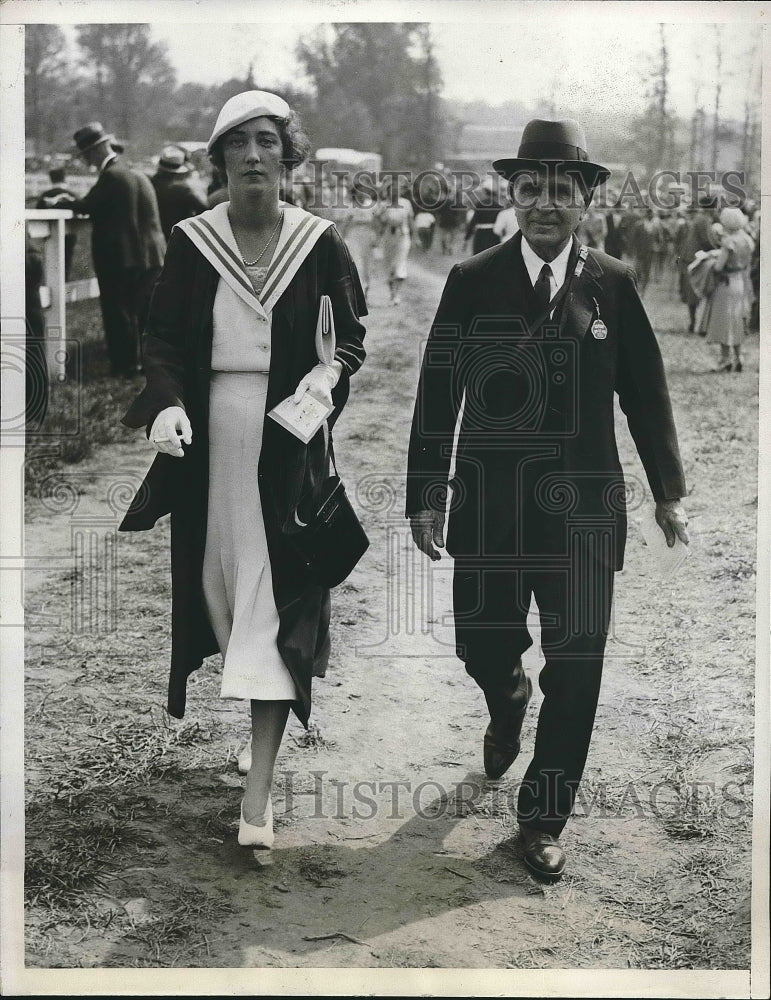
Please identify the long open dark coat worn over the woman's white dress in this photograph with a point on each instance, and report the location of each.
(177, 359)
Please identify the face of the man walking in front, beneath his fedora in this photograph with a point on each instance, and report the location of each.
(549, 205)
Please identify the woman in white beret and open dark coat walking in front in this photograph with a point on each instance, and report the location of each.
(231, 333)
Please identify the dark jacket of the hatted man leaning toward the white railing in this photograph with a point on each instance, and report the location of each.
(125, 224)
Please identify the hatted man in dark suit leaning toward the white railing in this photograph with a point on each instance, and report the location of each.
(127, 245)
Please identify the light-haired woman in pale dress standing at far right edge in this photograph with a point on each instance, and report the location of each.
(728, 307)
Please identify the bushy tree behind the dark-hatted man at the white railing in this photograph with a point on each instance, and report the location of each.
(131, 73)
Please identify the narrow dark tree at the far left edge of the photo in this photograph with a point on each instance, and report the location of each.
(46, 73)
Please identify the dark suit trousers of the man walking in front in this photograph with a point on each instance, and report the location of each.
(491, 605)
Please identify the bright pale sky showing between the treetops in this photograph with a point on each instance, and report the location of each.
(585, 62)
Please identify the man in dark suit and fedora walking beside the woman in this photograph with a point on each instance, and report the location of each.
(534, 337)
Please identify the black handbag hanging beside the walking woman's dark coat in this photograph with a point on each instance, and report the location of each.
(326, 531)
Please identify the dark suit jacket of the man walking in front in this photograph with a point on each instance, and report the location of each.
(536, 453)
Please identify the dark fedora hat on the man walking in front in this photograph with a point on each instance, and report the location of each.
(561, 142)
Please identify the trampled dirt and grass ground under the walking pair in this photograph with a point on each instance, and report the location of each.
(392, 848)
